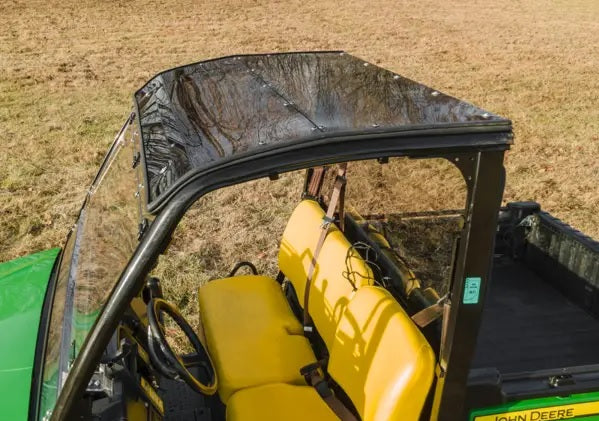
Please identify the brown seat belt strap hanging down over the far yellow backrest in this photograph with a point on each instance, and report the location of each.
(336, 197)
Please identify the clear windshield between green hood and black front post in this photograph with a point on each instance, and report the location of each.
(96, 253)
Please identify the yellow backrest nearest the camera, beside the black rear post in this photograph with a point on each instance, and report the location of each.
(380, 358)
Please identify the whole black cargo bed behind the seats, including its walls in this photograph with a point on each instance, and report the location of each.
(539, 332)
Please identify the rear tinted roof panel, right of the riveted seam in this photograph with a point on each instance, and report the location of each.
(339, 92)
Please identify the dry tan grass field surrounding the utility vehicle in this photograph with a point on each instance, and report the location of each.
(68, 70)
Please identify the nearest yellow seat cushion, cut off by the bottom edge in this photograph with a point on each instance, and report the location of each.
(278, 402)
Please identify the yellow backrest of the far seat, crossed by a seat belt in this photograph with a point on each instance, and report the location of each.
(338, 272)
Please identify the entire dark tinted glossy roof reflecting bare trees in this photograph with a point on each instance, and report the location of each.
(202, 114)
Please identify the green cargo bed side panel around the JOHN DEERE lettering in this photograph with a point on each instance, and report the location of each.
(540, 403)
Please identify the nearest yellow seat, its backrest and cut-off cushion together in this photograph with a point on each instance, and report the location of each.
(379, 358)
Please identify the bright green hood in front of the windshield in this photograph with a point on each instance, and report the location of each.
(23, 284)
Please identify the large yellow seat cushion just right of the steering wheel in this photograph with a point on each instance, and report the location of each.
(251, 334)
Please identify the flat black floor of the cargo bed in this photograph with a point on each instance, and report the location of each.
(528, 325)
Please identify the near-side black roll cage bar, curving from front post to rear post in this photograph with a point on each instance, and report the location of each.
(478, 156)
